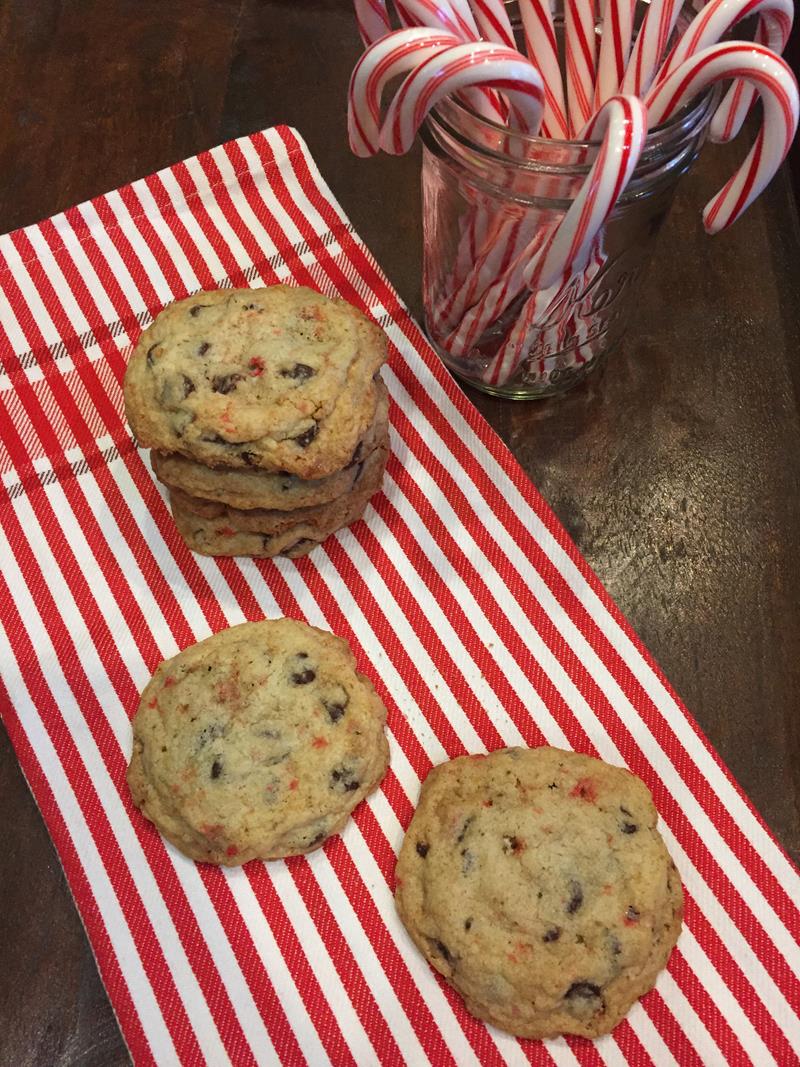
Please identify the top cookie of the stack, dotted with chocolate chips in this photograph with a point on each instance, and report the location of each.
(279, 379)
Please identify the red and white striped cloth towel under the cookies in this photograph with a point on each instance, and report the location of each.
(463, 598)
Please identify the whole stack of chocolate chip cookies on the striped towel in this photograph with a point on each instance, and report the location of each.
(267, 416)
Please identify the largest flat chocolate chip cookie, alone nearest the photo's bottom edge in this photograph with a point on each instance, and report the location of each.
(537, 883)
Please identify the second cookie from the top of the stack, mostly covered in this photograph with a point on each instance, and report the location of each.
(260, 489)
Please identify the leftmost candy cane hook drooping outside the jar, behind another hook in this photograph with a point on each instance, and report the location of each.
(391, 56)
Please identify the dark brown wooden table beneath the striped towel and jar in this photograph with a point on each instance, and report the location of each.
(677, 472)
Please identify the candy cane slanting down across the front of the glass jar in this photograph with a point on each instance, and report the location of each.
(623, 125)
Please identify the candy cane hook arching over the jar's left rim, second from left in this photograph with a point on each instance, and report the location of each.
(475, 63)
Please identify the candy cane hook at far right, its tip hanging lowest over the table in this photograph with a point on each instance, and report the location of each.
(777, 86)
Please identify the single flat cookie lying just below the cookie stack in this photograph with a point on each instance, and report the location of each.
(257, 743)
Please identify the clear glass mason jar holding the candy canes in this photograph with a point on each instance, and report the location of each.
(489, 196)
